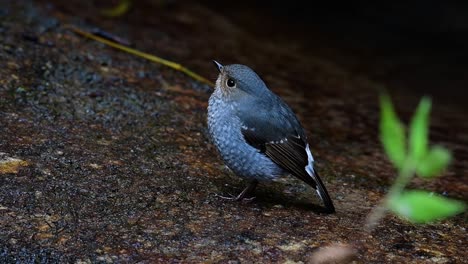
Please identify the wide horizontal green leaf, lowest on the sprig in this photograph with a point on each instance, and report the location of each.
(423, 207)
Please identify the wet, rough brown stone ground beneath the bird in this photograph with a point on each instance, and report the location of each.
(116, 165)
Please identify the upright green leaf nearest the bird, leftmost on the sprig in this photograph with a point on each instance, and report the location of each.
(392, 133)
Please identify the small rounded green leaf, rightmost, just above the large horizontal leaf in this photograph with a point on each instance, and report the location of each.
(436, 160)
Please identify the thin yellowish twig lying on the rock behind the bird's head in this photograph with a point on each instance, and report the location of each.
(138, 53)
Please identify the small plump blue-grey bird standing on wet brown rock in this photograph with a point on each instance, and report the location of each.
(257, 134)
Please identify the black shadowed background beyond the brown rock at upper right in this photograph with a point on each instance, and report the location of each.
(415, 45)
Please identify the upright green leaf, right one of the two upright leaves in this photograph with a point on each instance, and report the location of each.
(418, 133)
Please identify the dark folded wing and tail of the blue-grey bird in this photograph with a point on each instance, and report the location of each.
(276, 132)
